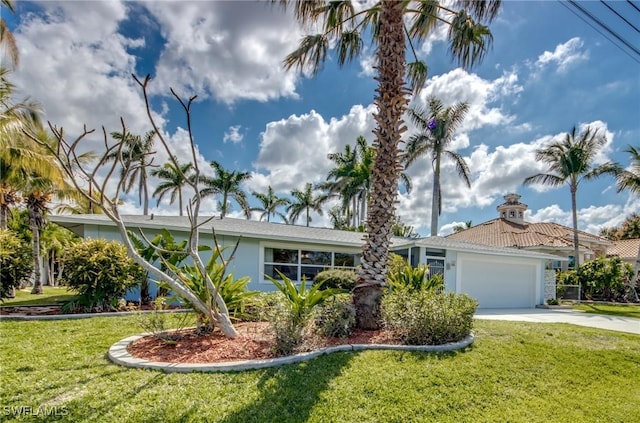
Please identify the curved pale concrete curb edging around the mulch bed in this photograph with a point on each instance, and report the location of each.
(119, 354)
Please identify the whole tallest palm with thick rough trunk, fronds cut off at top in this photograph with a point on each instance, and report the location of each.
(344, 26)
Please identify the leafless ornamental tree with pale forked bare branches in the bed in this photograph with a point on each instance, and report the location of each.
(109, 174)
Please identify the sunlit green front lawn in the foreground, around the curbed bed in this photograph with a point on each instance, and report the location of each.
(515, 371)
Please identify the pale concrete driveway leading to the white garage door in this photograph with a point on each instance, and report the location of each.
(541, 315)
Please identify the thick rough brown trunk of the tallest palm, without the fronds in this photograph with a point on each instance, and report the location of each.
(391, 101)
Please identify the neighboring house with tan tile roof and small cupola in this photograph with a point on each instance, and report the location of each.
(510, 230)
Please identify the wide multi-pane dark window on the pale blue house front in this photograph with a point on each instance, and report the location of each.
(297, 264)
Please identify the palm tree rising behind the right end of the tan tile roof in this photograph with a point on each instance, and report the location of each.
(570, 162)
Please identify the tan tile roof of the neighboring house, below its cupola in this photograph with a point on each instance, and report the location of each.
(503, 233)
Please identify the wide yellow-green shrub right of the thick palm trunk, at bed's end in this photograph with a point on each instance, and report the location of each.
(426, 317)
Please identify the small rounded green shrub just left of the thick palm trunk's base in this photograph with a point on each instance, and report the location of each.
(336, 318)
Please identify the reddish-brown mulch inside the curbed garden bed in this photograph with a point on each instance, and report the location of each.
(253, 342)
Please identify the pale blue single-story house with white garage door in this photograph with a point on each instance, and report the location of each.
(498, 277)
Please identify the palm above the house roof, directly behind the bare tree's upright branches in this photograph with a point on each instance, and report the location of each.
(135, 160)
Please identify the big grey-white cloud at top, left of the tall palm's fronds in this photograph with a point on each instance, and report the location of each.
(227, 50)
